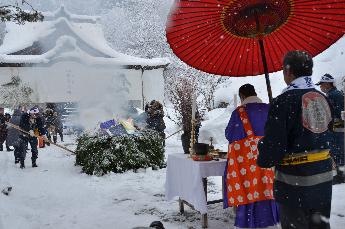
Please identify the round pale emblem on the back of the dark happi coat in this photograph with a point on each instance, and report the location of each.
(316, 113)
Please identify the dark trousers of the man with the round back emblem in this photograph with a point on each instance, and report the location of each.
(300, 218)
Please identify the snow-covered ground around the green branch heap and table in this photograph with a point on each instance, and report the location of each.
(56, 195)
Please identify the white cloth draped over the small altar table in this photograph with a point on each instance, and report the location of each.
(184, 179)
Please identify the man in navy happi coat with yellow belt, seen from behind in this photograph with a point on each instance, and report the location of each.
(297, 143)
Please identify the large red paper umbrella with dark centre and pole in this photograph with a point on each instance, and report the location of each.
(250, 37)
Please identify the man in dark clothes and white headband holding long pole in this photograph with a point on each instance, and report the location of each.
(32, 123)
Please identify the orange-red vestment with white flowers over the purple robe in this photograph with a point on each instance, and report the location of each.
(247, 183)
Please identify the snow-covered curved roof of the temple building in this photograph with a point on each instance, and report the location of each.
(64, 35)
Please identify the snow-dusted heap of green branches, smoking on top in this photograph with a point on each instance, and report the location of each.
(100, 155)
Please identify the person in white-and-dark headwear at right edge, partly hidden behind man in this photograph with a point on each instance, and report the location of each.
(336, 99)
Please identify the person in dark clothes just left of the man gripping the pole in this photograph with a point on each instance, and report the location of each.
(13, 134)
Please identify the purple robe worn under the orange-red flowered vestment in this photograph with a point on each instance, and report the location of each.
(259, 214)
